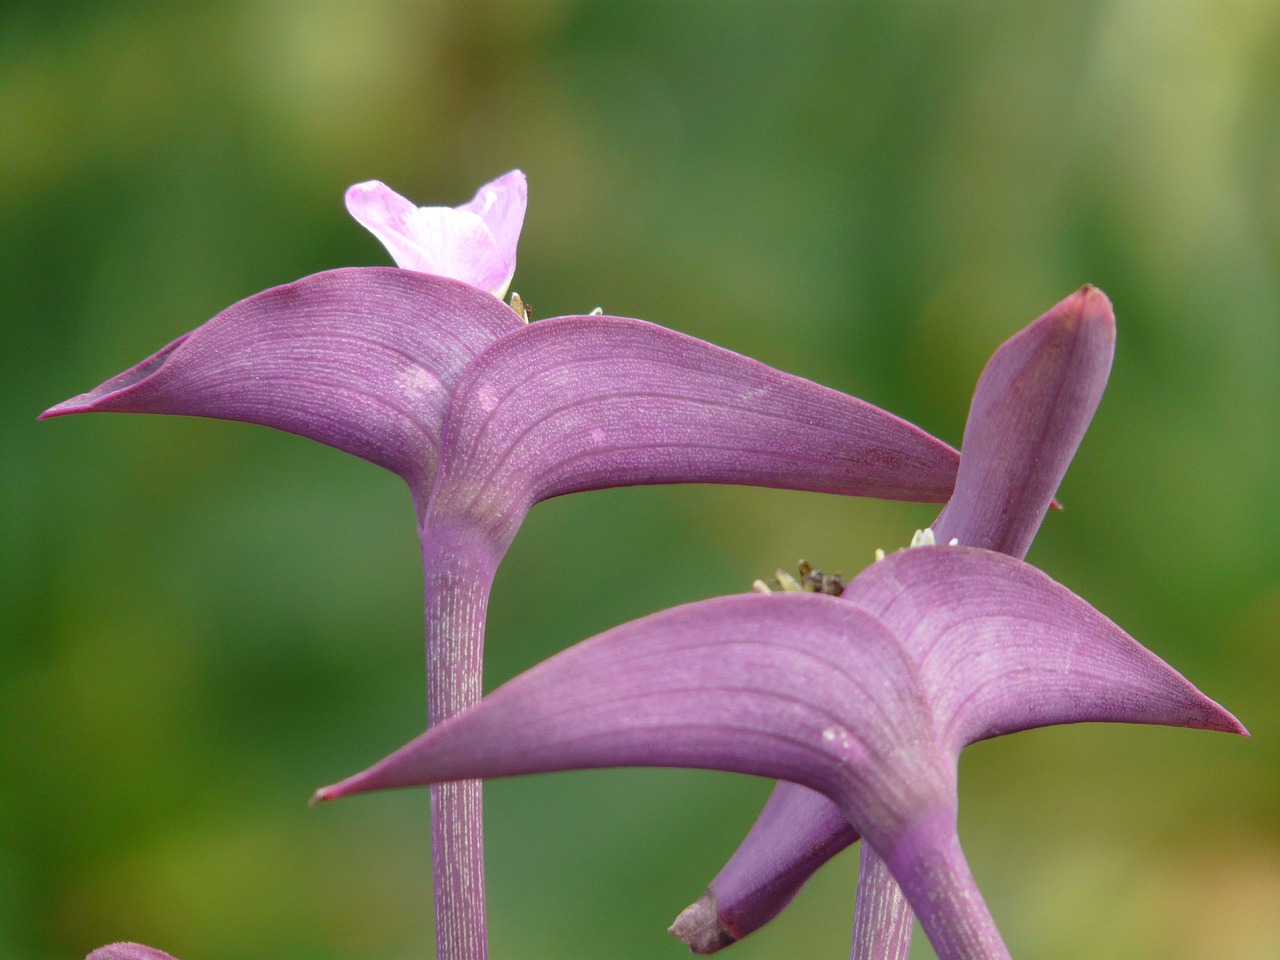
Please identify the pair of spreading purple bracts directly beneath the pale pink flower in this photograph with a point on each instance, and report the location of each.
(369, 359)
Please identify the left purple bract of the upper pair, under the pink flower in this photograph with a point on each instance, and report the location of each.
(362, 359)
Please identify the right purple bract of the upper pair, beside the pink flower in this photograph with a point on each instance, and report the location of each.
(588, 403)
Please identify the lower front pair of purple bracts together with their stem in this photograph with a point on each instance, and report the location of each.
(826, 693)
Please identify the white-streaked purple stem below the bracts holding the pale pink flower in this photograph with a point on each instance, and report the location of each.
(459, 568)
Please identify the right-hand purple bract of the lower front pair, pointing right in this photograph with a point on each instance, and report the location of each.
(1021, 651)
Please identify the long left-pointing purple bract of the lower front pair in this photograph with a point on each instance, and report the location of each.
(684, 689)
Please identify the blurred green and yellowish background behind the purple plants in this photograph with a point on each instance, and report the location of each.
(204, 621)
